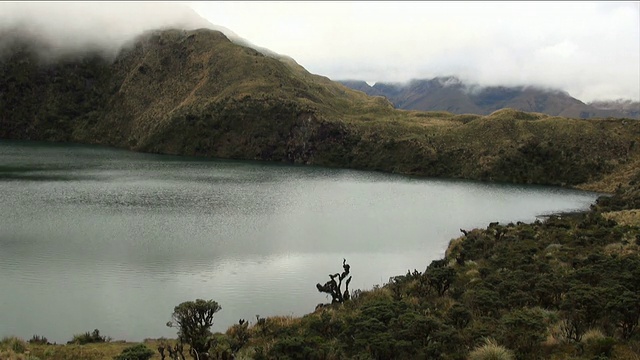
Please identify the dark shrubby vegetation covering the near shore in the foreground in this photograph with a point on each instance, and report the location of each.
(563, 288)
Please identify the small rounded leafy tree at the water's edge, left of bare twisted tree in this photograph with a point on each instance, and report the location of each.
(194, 320)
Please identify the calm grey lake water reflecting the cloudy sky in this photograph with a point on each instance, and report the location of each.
(92, 237)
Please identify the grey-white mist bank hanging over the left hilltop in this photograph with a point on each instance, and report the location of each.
(63, 28)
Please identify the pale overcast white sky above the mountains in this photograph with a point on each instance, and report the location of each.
(590, 49)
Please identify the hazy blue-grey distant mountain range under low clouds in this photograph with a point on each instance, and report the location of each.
(452, 95)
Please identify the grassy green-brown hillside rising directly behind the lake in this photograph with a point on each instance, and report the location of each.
(198, 93)
